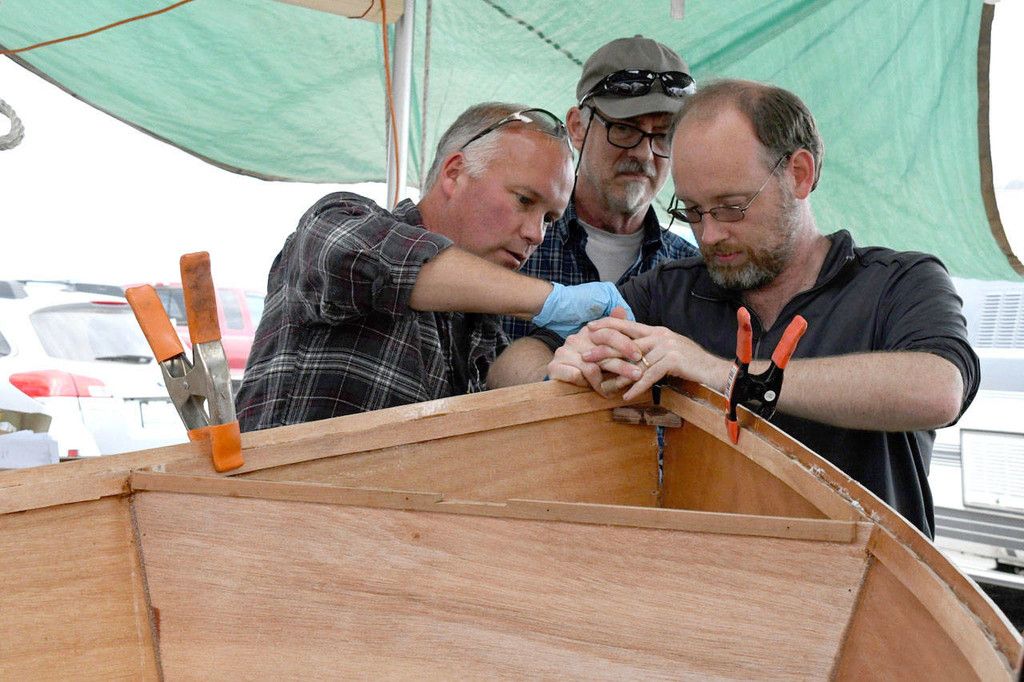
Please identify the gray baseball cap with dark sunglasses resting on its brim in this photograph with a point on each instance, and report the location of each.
(625, 54)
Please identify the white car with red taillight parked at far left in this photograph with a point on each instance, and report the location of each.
(83, 358)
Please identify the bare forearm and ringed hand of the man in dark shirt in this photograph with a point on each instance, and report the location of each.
(880, 392)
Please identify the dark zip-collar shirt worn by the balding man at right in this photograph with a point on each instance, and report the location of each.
(865, 300)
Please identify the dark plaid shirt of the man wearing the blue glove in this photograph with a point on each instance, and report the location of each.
(338, 336)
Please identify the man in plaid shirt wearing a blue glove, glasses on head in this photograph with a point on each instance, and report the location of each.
(369, 309)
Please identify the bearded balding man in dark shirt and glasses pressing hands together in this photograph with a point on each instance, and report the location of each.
(885, 360)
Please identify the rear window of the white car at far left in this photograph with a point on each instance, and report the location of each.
(92, 332)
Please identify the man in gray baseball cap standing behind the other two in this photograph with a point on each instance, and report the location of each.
(626, 97)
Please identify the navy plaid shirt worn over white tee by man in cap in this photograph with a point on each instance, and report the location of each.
(563, 259)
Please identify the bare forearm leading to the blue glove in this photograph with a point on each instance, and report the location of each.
(456, 280)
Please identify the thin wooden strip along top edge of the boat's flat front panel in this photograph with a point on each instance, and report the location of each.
(647, 518)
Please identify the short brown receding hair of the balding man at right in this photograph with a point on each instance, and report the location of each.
(781, 119)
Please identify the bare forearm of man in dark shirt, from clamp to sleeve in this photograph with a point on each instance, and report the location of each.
(881, 392)
